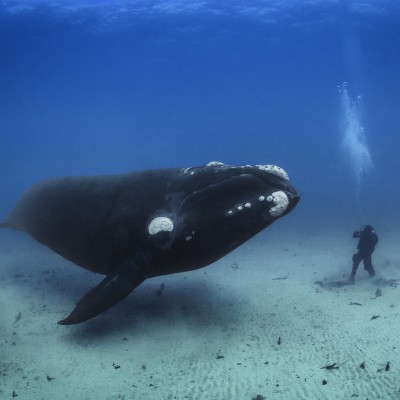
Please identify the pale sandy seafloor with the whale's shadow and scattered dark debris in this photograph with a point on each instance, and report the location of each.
(213, 333)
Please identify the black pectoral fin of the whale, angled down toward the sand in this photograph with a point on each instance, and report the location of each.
(111, 290)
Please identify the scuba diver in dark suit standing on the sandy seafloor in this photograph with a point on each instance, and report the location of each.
(366, 246)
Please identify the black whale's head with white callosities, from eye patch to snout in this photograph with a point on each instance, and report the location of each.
(222, 207)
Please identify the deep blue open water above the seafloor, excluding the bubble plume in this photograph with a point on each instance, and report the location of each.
(108, 87)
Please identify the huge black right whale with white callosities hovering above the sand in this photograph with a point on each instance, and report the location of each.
(136, 226)
